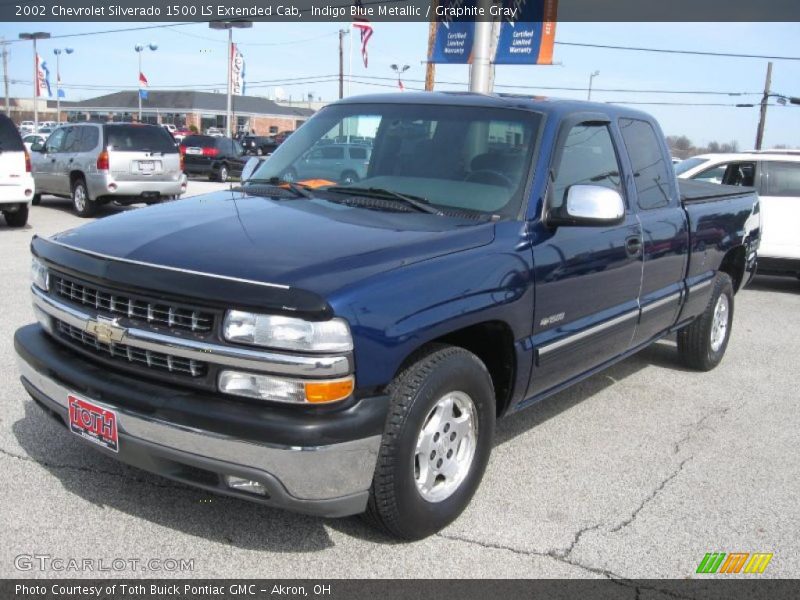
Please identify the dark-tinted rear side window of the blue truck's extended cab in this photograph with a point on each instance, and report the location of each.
(653, 174)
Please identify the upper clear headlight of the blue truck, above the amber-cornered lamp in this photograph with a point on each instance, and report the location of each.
(287, 333)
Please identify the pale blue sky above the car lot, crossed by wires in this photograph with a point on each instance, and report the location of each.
(194, 55)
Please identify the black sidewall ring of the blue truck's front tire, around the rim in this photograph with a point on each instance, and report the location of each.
(459, 372)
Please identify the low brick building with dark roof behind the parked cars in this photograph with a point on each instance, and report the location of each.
(187, 108)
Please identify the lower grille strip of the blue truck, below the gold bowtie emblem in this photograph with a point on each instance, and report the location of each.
(136, 356)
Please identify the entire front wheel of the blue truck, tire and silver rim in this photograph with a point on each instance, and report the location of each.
(436, 443)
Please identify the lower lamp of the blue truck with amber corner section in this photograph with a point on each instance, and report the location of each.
(278, 389)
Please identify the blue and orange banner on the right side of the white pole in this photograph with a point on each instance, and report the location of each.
(528, 39)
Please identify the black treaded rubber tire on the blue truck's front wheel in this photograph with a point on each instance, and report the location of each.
(395, 504)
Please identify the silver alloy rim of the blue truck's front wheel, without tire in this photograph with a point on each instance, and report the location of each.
(445, 446)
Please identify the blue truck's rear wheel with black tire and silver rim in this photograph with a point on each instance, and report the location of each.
(700, 346)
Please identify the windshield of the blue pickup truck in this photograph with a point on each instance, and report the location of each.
(458, 157)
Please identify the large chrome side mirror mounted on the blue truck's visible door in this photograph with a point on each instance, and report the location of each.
(589, 206)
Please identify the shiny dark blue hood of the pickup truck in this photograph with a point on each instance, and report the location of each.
(313, 245)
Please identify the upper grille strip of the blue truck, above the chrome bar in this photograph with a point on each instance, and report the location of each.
(168, 315)
